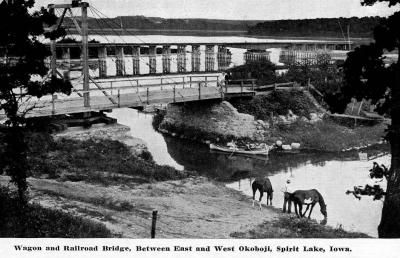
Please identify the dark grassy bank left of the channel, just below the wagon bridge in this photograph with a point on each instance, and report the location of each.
(94, 160)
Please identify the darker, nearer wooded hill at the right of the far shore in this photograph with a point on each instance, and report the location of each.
(322, 27)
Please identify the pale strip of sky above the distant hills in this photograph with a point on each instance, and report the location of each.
(235, 9)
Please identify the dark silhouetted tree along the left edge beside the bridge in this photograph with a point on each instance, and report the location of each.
(23, 57)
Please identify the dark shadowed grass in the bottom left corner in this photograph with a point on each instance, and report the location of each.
(36, 221)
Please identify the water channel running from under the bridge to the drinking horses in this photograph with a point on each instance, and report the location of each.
(331, 174)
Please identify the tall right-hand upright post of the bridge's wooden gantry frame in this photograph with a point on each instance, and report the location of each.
(85, 55)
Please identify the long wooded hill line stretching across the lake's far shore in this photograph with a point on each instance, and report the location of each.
(321, 27)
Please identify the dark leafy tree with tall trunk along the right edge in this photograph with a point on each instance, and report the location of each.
(368, 76)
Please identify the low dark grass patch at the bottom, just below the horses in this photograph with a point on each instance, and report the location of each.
(290, 227)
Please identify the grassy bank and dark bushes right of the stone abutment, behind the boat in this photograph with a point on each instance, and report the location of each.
(324, 135)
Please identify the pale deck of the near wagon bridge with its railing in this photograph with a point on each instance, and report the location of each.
(71, 105)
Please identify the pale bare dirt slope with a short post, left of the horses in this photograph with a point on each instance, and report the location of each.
(190, 208)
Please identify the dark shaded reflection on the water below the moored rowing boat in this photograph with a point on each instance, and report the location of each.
(226, 167)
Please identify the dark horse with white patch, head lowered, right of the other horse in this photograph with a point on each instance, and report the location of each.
(306, 197)
